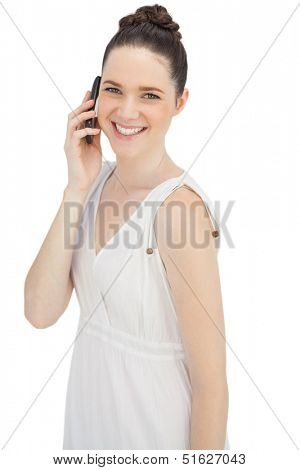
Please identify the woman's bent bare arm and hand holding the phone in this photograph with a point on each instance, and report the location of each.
(48, 285)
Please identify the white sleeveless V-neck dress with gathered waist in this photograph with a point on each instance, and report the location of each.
(128, 384)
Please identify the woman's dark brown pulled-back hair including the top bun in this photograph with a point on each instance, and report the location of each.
(153, 28)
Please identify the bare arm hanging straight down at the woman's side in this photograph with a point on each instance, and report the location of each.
(189, 252)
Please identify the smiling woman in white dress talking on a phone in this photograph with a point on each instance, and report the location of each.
(148, 368)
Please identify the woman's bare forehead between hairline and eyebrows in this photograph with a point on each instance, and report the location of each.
(135, 65)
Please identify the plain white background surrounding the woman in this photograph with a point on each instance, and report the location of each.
(50, 54)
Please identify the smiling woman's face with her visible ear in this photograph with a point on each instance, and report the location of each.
(121, 100)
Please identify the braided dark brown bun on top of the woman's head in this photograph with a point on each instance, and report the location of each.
(156, 14)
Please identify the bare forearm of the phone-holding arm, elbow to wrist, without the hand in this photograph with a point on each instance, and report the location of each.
(48, 285)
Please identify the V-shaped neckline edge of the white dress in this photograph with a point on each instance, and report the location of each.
(97, 200)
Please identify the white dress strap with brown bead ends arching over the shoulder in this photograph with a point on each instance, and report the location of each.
(164, 192)
